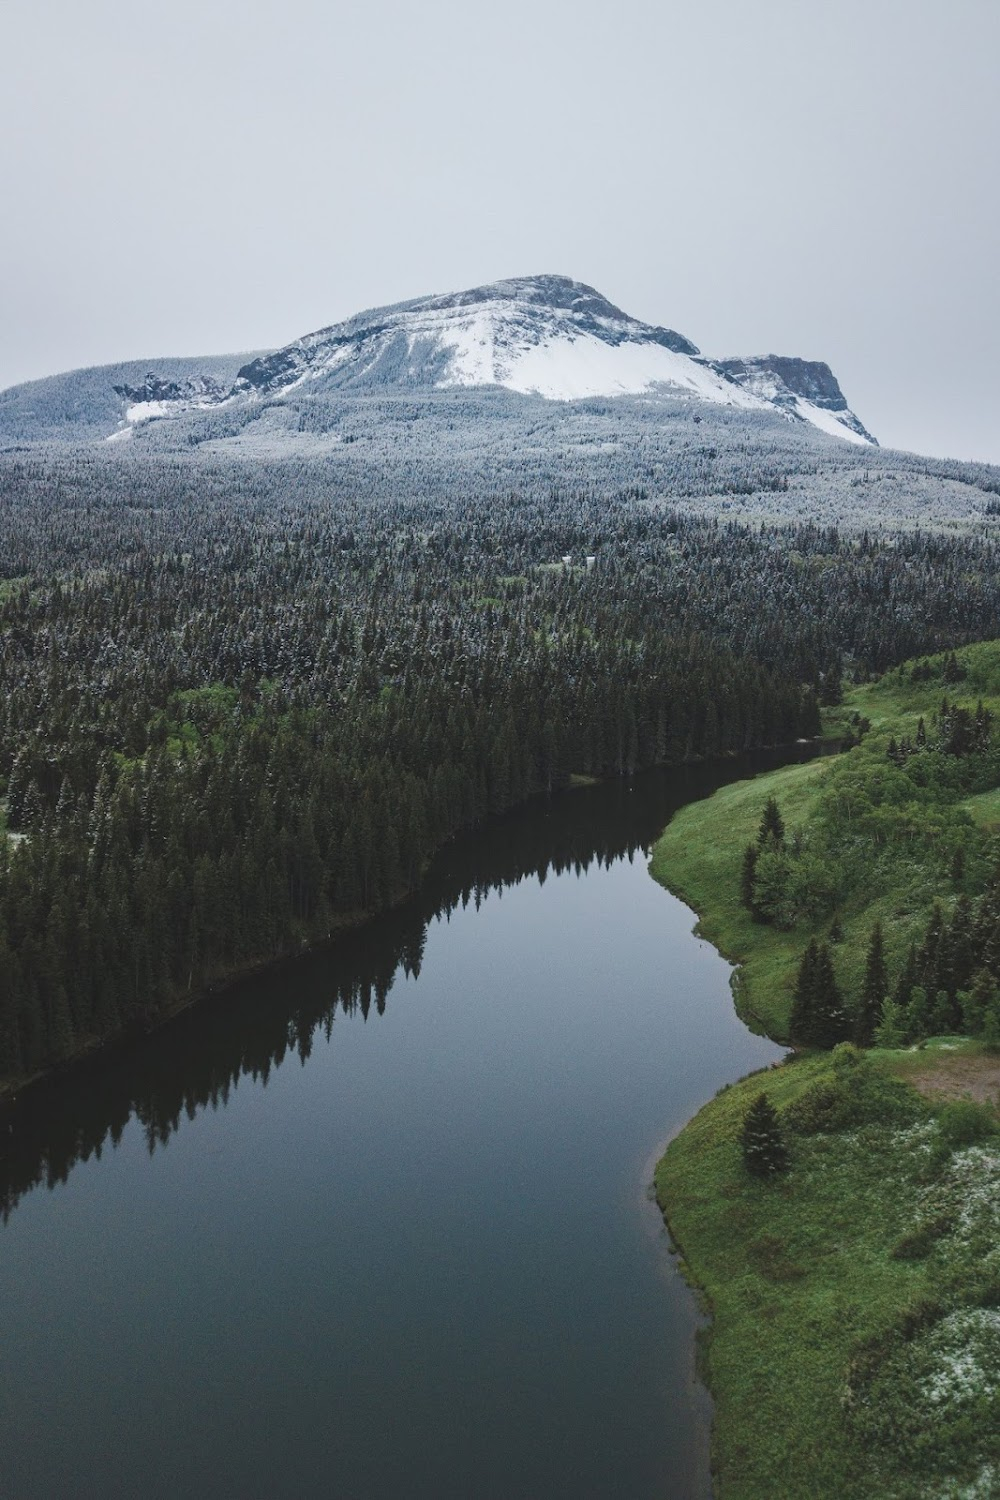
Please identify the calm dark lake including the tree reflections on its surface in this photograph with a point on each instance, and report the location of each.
(377, 1225)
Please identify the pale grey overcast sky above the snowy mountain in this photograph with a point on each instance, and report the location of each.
(765, 176)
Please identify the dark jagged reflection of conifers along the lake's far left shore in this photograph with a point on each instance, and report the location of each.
(251, 1030)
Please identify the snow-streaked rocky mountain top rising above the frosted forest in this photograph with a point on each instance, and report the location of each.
(543, 337)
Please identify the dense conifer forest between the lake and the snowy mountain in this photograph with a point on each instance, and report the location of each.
(242, 707)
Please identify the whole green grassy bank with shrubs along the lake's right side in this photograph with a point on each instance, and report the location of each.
(855, 1339)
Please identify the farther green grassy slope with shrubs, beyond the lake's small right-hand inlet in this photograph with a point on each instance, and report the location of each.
(867, 839)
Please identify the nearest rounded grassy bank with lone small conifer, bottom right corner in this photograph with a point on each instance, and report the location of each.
(855, 1346)
